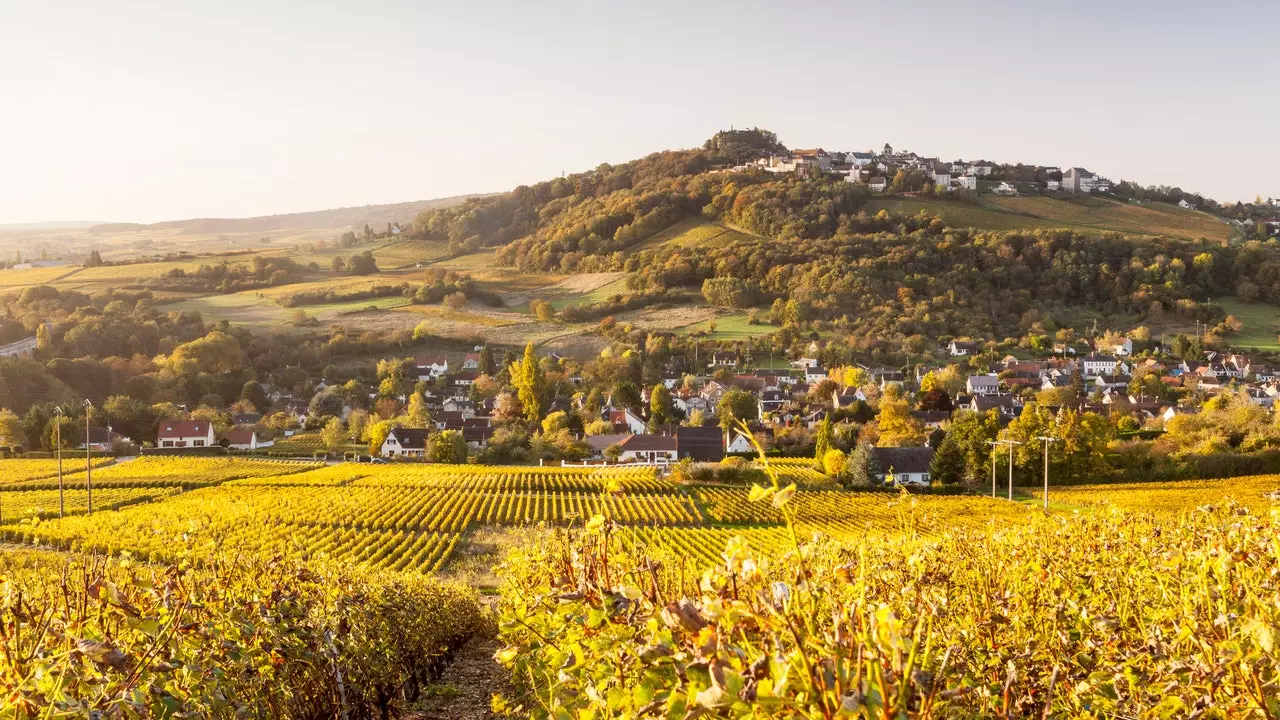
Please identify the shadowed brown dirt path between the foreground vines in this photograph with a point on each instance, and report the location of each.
(468, 686)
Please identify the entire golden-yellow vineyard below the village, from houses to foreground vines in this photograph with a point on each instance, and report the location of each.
(938, 594)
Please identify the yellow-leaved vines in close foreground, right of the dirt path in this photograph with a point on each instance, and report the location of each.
(1086, 616)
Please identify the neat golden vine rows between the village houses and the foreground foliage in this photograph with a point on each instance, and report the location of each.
(413, 518)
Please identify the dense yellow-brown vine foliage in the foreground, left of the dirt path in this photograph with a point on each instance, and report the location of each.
(84, 636)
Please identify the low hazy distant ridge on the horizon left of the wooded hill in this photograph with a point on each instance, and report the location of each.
(376, 216)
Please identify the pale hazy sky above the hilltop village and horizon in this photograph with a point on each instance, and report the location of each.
(143, 112)
